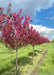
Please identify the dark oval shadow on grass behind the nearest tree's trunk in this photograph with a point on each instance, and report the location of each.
(22, 61)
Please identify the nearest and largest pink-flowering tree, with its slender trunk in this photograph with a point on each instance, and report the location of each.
(14, 32)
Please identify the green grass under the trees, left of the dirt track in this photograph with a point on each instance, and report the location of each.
(8, 57)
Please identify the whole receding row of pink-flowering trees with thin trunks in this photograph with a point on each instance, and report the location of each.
(16, 32)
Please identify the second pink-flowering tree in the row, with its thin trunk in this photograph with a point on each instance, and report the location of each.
(32, 37)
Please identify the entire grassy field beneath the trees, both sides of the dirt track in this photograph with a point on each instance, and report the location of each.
(25, 54)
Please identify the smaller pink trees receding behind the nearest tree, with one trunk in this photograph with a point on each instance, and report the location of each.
(34, 38)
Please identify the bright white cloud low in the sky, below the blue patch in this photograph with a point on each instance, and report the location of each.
(43, 30)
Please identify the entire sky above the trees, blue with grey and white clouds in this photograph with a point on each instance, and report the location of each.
(41, 11)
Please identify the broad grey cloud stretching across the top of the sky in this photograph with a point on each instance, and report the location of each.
(28, 6)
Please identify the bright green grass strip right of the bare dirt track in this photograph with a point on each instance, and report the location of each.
(48, 64)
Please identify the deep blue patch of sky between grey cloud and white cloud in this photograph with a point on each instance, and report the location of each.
(45, 17)
